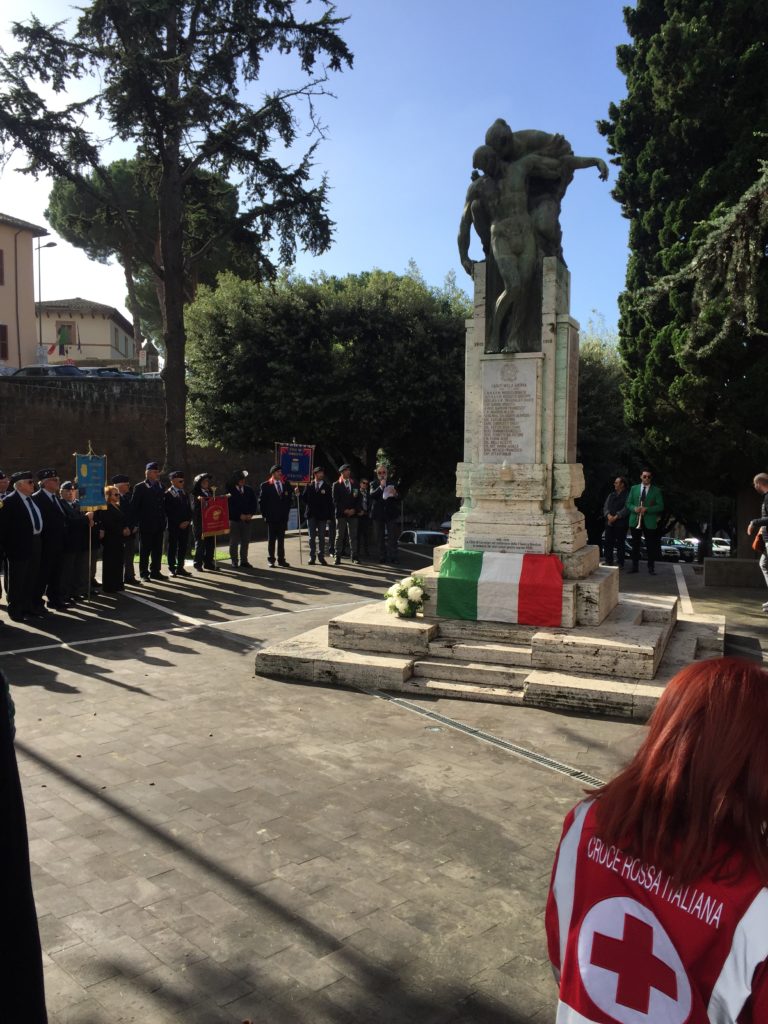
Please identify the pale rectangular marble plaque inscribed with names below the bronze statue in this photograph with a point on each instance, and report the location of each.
(509, 411)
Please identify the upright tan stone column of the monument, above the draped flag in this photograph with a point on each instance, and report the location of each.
(520, 478)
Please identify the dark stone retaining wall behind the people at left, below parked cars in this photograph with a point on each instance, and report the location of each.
(42, 423)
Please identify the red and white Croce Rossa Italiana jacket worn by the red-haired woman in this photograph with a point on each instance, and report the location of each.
(629, 947)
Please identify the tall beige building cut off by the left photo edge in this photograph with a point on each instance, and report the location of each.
(19, 339)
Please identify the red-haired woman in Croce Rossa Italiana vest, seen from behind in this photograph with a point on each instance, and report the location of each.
(658, 911)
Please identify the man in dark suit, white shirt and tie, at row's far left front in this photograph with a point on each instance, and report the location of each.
(22, 540)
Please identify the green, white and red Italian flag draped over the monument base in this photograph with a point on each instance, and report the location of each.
(486, 585)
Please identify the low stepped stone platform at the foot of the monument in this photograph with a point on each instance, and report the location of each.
(618, 668)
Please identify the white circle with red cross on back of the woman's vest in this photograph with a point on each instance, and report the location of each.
(629, 966)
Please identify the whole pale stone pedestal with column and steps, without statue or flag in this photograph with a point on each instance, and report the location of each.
(519, 483)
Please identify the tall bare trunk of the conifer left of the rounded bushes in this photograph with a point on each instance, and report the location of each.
(172, 237)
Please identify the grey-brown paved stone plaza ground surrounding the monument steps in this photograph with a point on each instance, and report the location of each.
(212, 847)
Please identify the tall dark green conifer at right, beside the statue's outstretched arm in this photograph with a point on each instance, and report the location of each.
(691, 140)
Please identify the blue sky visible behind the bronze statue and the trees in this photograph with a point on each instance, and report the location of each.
(430, 77)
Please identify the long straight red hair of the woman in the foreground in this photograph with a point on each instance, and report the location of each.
(697, 792)
